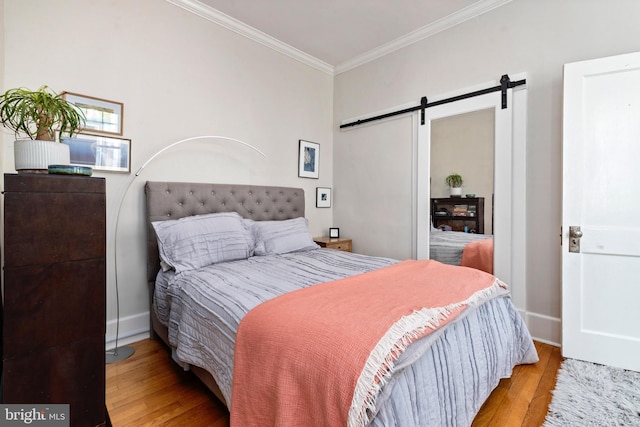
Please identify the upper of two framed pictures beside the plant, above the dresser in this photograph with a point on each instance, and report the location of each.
(102, 116)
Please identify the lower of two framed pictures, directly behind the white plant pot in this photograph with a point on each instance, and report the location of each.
(105, 153)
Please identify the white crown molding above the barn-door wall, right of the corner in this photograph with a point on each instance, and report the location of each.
(469, 12)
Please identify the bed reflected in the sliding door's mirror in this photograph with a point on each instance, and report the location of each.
(458, 248)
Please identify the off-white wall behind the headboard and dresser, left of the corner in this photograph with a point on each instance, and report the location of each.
(178, 76)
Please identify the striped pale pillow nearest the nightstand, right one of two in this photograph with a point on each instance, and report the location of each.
(281, 237)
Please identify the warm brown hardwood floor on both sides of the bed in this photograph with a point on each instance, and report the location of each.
(148, 389)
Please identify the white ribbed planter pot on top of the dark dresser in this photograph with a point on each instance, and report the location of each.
(36, 156)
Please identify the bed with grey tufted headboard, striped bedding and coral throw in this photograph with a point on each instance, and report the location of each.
(448, 351)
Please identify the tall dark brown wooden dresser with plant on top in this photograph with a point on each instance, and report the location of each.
(54, 294)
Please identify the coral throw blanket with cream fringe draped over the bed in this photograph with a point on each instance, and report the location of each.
(319, 356)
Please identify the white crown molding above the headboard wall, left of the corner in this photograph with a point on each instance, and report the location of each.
(226, 21)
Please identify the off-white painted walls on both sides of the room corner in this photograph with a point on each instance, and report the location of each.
(180, 76)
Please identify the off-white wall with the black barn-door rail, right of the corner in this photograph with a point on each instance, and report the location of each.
(532, 36)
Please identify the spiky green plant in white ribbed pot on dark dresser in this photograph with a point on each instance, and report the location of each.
(39, 120)
